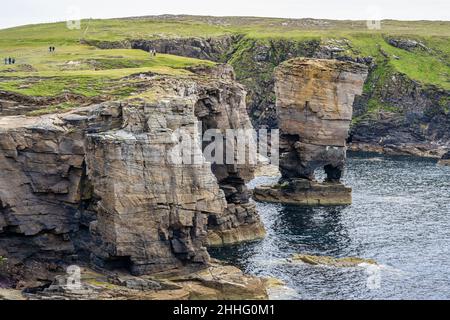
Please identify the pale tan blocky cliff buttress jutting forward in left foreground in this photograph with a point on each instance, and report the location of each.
(152, 211)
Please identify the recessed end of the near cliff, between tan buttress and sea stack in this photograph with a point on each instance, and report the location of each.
(222, 110)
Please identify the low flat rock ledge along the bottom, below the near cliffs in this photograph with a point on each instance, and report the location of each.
(216, 282)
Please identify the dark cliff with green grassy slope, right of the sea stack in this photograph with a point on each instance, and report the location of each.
(401, 117)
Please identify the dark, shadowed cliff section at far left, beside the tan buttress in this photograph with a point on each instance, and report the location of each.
(42, 166)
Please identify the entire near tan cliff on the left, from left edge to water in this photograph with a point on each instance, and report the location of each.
(101, 181)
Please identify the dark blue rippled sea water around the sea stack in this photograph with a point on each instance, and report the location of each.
(400, 217)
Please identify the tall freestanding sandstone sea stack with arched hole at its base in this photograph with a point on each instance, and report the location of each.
(314, 109)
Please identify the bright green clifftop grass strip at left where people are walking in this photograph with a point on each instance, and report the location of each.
(71, 59)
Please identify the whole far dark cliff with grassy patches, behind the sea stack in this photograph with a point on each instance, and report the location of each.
(412, 118)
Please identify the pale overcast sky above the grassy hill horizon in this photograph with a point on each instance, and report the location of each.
(19, 12)
